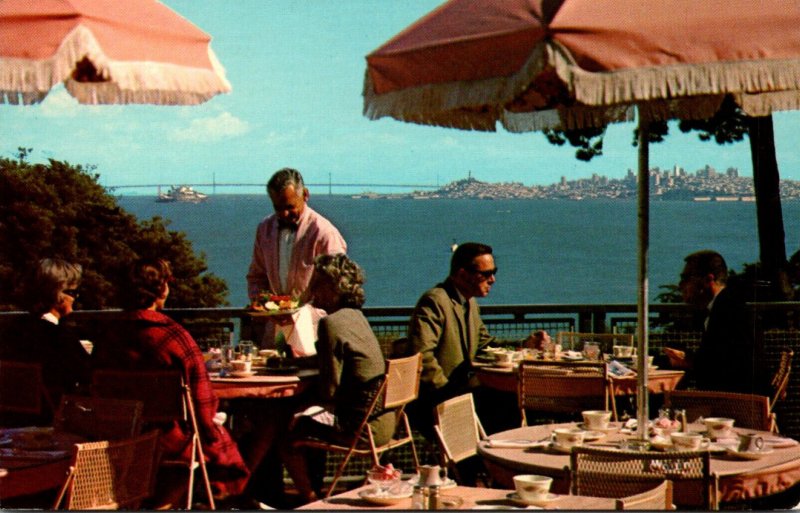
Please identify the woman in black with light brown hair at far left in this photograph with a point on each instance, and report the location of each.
(50, 294)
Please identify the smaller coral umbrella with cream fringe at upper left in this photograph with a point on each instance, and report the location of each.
(105, 52)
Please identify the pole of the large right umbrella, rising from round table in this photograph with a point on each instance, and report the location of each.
(642, 314)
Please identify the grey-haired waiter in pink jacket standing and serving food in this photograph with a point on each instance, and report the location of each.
(288, 241)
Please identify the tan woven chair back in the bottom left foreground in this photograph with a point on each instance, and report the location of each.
(112, 475)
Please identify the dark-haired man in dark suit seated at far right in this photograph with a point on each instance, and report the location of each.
(727, 359)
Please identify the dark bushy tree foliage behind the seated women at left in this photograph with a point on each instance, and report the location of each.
(60, 210)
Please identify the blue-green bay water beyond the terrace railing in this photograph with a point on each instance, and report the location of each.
(547, 251)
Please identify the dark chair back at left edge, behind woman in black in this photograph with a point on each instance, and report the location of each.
(22, 388)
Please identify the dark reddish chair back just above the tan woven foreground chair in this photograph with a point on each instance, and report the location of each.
(98, 418)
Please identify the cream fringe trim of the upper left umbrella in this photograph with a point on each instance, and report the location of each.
(30, 81)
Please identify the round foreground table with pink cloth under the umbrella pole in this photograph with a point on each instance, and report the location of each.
(737, 479)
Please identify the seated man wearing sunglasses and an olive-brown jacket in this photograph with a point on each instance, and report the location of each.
(446, 327)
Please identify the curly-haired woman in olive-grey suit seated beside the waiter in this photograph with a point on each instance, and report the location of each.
(351, 367)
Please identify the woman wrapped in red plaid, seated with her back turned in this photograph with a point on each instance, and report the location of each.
(147, 339)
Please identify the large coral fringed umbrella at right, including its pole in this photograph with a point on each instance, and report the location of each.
(571, 64)
